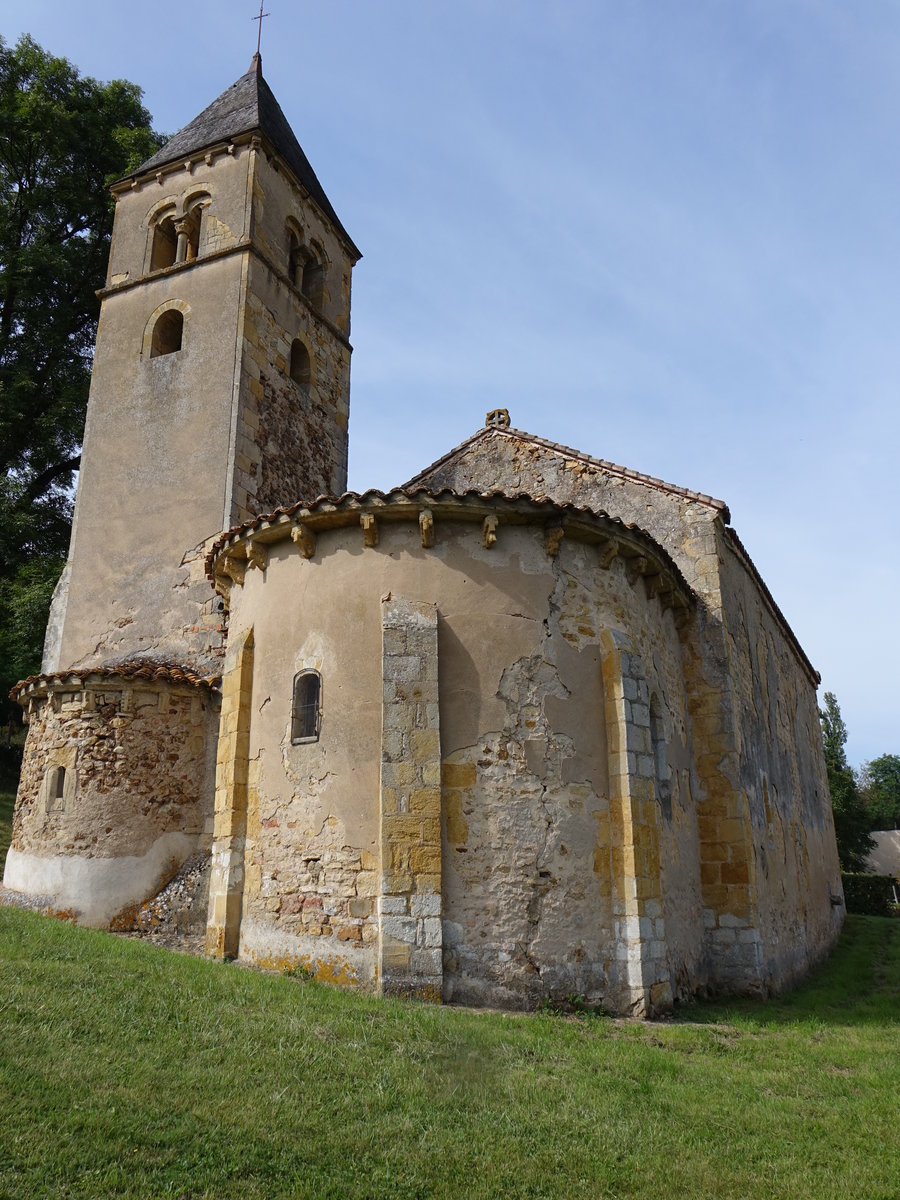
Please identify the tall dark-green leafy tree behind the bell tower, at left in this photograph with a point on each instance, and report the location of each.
(65, 140)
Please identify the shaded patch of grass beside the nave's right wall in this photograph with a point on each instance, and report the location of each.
(860, 985)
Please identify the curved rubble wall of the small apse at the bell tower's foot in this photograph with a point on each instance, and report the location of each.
(136, 793)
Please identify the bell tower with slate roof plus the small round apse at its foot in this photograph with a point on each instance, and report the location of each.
(220, 391)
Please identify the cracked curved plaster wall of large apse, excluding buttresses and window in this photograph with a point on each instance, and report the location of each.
(527, 878)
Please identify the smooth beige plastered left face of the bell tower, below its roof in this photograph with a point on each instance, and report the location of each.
(157, 445)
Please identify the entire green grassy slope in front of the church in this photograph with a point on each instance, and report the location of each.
(129, 1072)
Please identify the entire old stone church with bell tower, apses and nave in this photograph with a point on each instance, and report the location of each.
(529, 725)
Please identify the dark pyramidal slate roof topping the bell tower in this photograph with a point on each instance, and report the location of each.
(249, 106)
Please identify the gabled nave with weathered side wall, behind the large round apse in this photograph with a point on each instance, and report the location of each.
(767, 853)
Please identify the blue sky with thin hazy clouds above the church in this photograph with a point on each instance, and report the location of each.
(668, 235)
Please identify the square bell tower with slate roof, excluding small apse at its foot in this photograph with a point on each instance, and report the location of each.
(221, 379)
